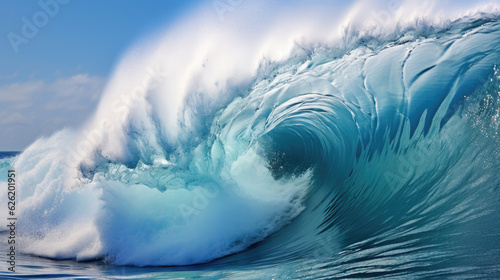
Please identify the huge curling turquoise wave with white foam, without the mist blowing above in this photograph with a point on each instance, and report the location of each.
(377, 155)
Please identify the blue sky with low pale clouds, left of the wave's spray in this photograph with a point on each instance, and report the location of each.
(53, 77)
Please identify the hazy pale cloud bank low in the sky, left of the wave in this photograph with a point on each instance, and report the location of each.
(38, 108)
